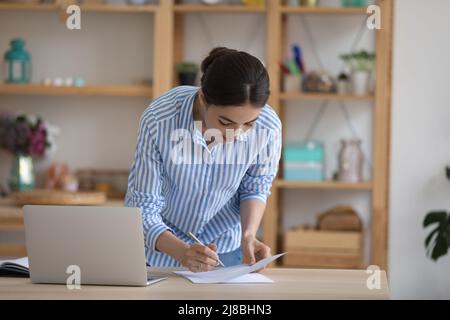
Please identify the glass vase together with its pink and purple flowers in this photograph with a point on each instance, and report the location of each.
(24, 136)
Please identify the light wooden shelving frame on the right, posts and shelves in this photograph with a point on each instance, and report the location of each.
(378, 188)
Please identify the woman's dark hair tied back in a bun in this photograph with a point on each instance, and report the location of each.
(234, 78)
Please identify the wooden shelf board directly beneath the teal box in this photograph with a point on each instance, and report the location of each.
(327, 185)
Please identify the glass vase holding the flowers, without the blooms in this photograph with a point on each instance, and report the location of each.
(22, 173)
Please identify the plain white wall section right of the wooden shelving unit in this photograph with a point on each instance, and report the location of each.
(420, 145)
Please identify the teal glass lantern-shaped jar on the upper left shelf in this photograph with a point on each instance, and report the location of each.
(17, 63)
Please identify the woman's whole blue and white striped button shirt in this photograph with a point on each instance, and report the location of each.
(183, 186)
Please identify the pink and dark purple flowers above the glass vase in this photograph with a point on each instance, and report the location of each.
(26, 135)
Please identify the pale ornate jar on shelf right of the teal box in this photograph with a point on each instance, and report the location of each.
(351, 161)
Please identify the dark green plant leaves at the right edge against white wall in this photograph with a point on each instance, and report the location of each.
(438, 241)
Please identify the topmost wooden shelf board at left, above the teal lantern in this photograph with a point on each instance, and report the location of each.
(123, 8)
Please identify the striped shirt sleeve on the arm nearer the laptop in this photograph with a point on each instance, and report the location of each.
(144, 185)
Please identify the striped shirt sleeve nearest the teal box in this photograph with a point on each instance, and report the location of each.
(257, 181)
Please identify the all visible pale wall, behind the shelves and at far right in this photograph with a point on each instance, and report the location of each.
(100, 131)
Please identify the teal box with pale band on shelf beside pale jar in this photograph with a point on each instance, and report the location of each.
(304, 161)
